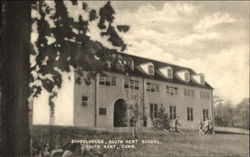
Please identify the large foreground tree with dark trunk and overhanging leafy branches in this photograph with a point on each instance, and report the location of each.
(70, 48)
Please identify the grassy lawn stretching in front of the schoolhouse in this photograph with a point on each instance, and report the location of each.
(173, 144)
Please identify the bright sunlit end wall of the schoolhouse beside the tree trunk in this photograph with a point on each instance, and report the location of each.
(63, 114)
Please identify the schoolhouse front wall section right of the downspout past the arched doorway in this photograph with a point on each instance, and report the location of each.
(180, 101)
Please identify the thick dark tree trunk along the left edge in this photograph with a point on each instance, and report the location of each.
(15, 72)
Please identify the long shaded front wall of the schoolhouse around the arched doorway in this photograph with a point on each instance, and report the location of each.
(102, 96)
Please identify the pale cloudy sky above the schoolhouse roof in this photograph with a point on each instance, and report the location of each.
(209, 37)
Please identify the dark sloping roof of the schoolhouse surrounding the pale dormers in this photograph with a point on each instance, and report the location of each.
(157, 64)
